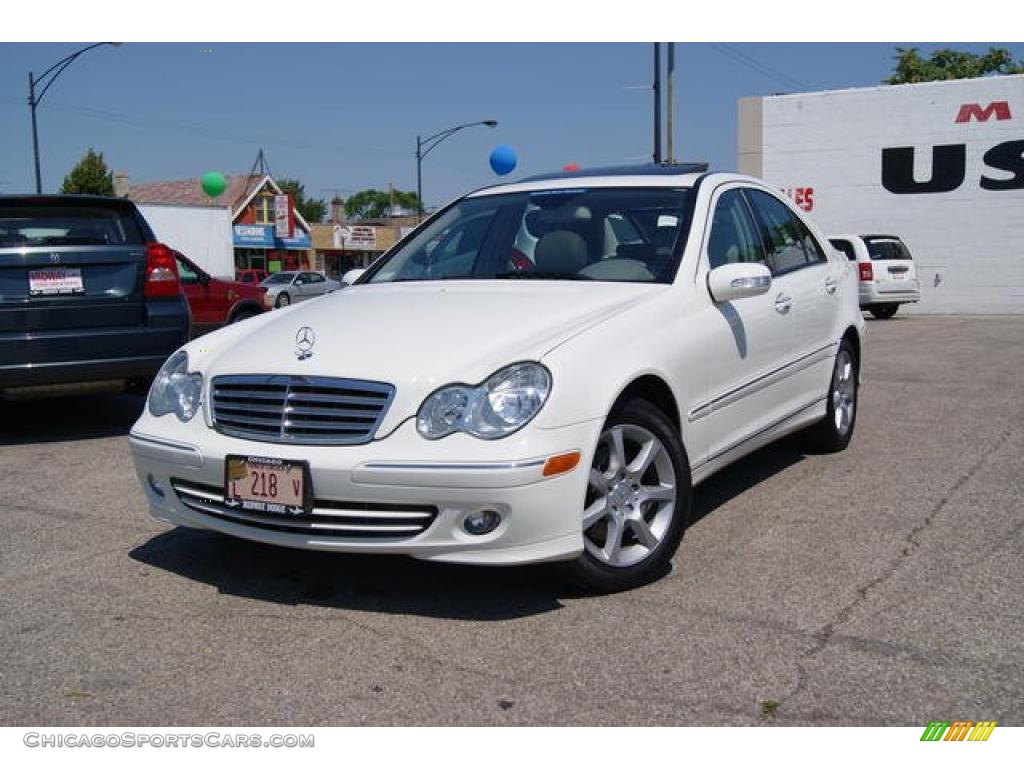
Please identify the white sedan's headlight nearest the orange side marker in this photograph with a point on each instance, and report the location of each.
(495, 409)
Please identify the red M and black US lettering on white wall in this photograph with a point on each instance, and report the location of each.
(950, 161)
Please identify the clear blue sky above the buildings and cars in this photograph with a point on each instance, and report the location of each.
(345, 117)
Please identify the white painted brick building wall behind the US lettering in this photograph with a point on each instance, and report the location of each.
(969, 243)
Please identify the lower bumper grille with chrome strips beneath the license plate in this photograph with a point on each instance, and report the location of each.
(329, 519)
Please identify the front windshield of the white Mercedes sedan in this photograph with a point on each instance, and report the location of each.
(616, 235)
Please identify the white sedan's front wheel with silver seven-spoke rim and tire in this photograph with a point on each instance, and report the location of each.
(629, 539)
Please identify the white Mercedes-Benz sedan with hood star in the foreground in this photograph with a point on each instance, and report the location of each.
(540, 372)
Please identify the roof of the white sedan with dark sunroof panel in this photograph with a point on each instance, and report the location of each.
(662, 175)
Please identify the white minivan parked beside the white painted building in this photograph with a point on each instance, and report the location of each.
(886, 271)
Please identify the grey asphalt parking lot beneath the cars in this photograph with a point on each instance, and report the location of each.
(877, 587)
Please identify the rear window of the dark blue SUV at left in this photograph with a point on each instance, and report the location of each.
(67, 226)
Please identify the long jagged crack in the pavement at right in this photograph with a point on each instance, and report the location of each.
(910, 543)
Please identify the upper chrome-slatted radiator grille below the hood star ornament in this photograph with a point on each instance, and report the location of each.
(300, 409)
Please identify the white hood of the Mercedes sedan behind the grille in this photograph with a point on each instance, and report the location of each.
(417, 336)
